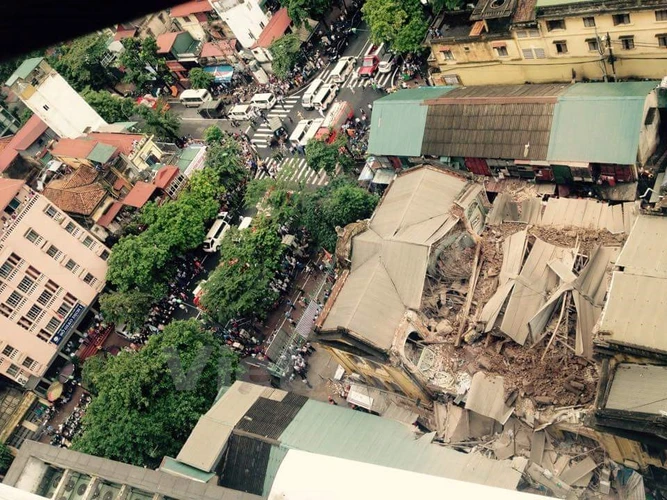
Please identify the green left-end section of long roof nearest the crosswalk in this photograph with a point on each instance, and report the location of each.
(398, 121)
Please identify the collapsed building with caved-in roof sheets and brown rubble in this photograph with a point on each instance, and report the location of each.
(500, 322)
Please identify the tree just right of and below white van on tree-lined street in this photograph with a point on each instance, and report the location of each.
(239, 287)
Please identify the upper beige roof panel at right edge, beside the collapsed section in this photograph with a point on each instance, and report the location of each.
(645, 251)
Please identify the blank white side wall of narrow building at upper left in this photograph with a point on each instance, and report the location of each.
(66, 112)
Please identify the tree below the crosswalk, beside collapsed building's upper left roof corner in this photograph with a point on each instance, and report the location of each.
(338, 204)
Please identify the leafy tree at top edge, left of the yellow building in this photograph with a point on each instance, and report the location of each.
(400, 23)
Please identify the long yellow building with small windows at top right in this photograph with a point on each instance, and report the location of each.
(543, 41)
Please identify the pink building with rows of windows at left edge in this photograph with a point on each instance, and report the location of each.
(51, 271)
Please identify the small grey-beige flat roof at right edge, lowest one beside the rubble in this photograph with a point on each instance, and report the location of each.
(638, 388)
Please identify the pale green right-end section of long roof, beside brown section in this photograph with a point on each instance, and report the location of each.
(599, 122)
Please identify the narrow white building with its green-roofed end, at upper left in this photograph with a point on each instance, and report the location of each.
(50, 97)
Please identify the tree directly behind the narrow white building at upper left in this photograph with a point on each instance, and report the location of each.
(80, 62)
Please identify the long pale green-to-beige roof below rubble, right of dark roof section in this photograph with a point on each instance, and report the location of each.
(339, 432)
